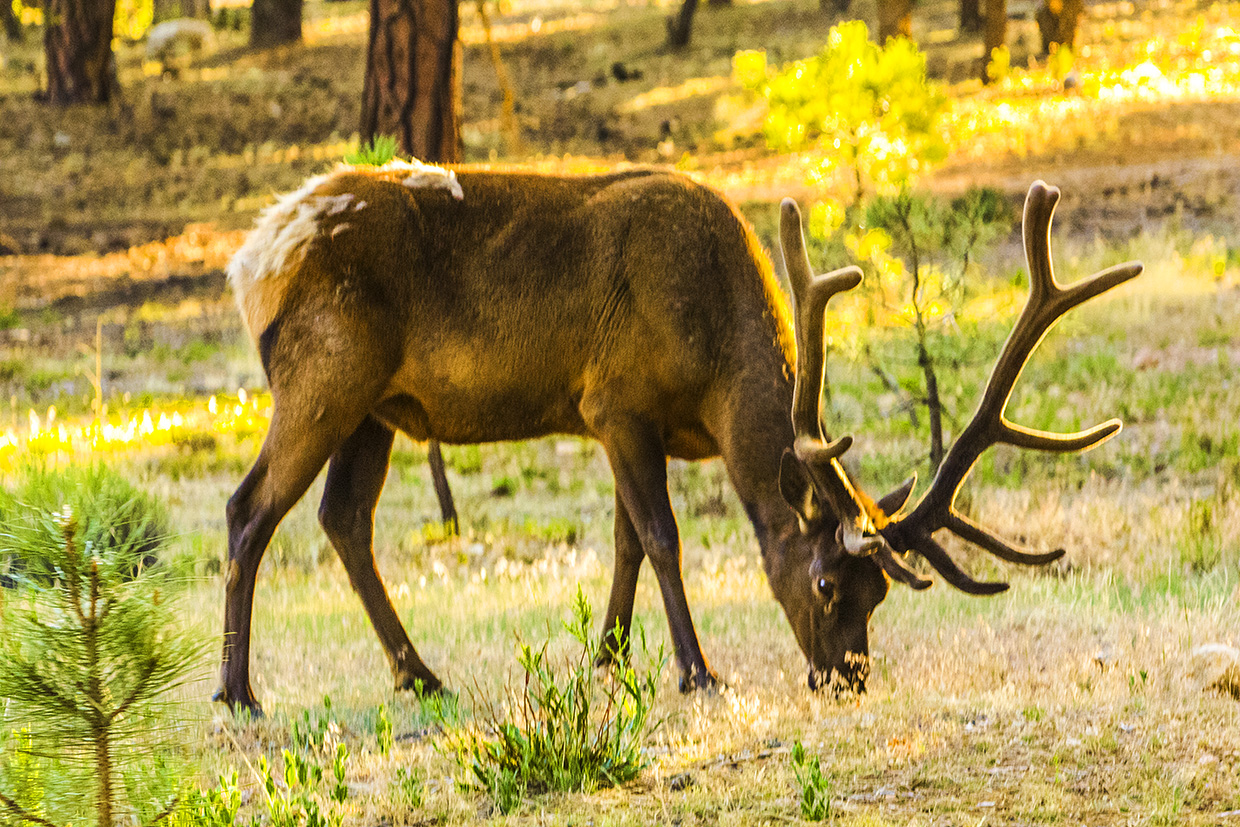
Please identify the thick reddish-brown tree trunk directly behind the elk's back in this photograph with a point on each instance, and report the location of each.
(412, 89)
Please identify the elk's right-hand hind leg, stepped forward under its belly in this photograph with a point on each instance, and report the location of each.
(355, 479)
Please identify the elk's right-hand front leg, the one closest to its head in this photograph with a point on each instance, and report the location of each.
(639, 463)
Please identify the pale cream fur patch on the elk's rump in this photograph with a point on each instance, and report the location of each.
(285, 232)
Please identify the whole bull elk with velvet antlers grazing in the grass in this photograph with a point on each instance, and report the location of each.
(637, 309)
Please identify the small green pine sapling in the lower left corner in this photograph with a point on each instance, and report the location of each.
(87, 658)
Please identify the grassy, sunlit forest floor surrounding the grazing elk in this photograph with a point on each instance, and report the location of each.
(1074, 699)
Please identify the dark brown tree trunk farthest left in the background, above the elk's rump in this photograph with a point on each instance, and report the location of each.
(77, 45)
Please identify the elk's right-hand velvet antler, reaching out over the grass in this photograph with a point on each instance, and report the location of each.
(1047, 303)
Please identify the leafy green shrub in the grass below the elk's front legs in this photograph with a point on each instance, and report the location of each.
(564, 731)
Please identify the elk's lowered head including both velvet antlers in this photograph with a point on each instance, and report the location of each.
(852, 546)
